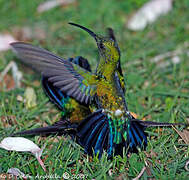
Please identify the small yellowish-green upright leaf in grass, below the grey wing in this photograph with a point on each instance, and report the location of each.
(30, 97)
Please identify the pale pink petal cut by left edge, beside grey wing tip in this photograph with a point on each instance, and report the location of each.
(5, 40)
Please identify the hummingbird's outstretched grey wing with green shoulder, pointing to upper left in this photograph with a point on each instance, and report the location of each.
(72, 80)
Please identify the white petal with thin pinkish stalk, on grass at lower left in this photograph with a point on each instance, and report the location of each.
(21, 144)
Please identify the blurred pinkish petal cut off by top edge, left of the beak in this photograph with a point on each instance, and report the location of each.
(52, 4)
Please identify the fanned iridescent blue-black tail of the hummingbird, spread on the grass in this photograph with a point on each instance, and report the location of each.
(96, 134)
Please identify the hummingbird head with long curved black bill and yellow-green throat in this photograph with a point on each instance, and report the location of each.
(107, 46)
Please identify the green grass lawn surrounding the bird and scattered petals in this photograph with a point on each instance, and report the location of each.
(158, 94)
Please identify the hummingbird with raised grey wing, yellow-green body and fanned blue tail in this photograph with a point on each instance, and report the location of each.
(109, 126)
